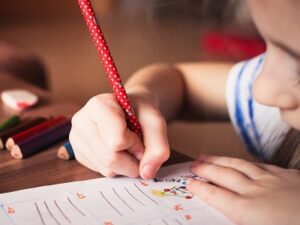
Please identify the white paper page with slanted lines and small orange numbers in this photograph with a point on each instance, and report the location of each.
(111, 201)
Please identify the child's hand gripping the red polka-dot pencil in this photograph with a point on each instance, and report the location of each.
(103, 143)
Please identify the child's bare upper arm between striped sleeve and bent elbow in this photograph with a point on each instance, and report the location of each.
(205, 88)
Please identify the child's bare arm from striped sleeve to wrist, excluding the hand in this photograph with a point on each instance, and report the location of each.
(195, 90)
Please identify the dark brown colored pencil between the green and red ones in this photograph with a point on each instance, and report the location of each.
(25, 124)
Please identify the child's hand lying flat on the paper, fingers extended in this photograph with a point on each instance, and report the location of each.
(248, 193)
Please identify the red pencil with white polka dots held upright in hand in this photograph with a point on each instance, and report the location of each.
(109, 65)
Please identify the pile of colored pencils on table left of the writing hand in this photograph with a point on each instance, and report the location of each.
(25, 137)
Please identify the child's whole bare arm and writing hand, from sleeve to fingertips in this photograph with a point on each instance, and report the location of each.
(100, 136)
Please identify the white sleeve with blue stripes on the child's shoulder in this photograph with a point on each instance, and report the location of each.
(260, 127)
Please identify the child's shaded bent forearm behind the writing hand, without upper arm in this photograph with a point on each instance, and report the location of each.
(163, 83)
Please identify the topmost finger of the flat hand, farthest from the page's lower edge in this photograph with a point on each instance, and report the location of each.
(248, 168)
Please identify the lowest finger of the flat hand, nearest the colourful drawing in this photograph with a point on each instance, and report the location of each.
(219, 198)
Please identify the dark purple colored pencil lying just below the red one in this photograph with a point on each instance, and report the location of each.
(41, 141)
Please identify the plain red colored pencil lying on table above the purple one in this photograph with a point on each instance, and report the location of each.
(16, 139)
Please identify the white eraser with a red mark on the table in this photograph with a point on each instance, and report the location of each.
(19, 99)
